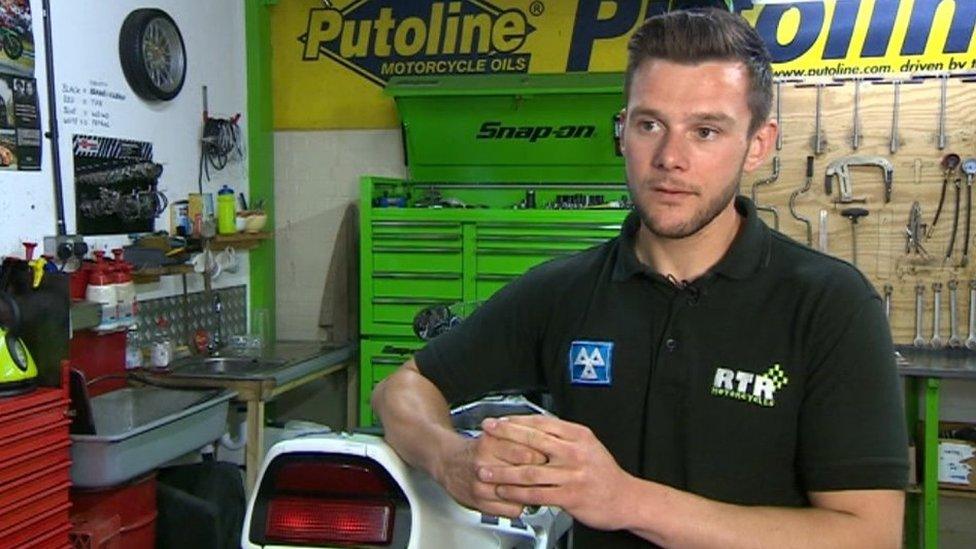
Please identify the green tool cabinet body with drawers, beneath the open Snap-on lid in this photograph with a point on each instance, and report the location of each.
(414, 258)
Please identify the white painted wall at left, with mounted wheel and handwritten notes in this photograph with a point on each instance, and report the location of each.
(85, 44)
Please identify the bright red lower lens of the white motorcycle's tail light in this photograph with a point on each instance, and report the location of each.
(310, 520)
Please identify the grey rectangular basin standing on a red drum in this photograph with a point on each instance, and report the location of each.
(137, 429)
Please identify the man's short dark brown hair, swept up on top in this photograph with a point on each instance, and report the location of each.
(695, 36)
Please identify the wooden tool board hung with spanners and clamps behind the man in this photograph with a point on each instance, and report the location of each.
(917, 176)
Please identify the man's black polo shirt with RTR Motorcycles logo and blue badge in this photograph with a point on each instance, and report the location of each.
(769, 377)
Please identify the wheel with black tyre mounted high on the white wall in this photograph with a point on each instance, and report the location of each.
(153, 54)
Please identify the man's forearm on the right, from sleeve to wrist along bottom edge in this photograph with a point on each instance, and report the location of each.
(673, 518)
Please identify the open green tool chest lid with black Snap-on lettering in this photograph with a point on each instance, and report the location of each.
(511, 128)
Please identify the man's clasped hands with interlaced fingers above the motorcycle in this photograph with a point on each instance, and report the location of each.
(538, 460)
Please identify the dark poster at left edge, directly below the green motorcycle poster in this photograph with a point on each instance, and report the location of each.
(20, 126)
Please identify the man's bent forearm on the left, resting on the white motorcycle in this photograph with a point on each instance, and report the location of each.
(416, 418)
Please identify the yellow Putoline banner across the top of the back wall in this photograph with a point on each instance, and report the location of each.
(332, 59)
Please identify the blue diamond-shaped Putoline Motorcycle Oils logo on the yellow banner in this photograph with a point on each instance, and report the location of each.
(379, 40)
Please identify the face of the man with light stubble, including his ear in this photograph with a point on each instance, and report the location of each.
(686, 142)
